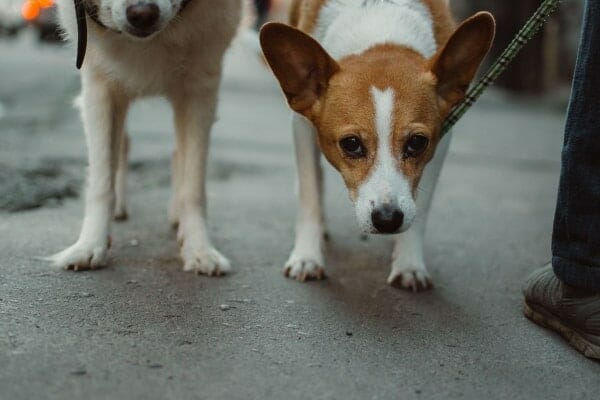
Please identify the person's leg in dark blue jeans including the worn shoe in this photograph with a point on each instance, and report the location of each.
(565, 295)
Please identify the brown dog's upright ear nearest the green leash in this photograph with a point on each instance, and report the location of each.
(456, 64)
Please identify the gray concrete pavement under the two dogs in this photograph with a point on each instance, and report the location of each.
(143, 329)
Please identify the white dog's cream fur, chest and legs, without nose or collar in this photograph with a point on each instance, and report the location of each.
(181, 61)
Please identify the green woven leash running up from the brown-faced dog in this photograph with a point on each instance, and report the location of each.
(526, 33)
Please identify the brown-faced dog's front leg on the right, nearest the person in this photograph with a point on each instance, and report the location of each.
(408, 262)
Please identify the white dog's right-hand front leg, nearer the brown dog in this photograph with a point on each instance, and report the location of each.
(194, 117)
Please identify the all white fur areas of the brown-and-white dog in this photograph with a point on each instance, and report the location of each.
(344, 28)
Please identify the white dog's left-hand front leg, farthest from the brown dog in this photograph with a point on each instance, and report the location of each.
(103, 113)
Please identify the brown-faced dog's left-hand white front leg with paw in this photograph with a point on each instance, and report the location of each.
(306, 260)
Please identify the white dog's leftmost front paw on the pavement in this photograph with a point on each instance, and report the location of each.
(82, 256)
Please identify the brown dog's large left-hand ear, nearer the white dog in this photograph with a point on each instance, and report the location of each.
(301, 65)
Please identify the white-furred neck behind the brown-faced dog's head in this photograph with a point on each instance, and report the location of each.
(347, 27)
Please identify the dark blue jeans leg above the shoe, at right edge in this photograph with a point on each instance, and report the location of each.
(576, 237)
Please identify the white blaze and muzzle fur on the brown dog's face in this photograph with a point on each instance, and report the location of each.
(385, 183)
